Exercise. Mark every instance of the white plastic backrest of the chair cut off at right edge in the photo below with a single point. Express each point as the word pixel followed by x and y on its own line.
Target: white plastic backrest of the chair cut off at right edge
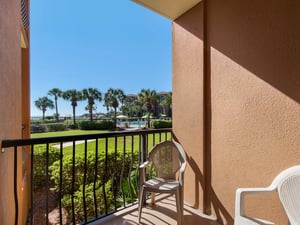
pixel 289 193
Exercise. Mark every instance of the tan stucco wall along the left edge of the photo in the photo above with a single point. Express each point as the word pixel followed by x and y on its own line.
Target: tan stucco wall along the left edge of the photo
pixel 14 107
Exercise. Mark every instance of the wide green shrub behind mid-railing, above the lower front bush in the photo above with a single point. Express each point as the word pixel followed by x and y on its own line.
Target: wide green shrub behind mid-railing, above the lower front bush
pixel 114 163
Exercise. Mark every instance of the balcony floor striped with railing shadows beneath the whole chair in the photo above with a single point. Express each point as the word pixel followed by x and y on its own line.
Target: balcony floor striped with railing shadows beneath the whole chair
pixel 163 213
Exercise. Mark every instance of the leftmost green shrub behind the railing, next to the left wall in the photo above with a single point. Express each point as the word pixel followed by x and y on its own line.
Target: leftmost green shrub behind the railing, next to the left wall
pixel 39 160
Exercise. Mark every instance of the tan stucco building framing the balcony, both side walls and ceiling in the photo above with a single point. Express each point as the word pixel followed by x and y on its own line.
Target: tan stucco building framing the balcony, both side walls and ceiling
pixel 236 95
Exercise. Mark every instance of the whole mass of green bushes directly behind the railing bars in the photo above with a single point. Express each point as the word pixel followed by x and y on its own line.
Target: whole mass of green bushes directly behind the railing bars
pixel 106 178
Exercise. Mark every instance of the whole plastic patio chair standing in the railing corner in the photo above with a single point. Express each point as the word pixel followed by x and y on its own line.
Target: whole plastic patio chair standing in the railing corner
pixel 169 161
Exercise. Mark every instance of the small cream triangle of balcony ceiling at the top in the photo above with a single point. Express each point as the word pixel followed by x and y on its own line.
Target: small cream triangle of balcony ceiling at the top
pixel 171 9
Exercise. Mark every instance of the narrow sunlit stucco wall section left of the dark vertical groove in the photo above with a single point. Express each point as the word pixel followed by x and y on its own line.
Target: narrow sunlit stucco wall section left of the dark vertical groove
pixel 188 105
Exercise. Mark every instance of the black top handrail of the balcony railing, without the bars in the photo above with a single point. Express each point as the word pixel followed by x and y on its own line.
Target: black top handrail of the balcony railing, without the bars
pixel 46 140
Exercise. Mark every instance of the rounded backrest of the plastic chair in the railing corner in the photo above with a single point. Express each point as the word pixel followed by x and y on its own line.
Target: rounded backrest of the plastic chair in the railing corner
pixel 167 158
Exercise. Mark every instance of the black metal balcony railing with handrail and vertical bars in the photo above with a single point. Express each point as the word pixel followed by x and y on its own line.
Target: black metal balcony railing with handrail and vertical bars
pixel 48 141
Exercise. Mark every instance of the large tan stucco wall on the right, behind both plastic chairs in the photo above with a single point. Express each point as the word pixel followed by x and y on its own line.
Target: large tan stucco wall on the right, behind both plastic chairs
pixel 247 55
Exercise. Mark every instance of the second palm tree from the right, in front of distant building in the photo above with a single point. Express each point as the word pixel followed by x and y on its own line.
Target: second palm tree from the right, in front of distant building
pixel 148 98
